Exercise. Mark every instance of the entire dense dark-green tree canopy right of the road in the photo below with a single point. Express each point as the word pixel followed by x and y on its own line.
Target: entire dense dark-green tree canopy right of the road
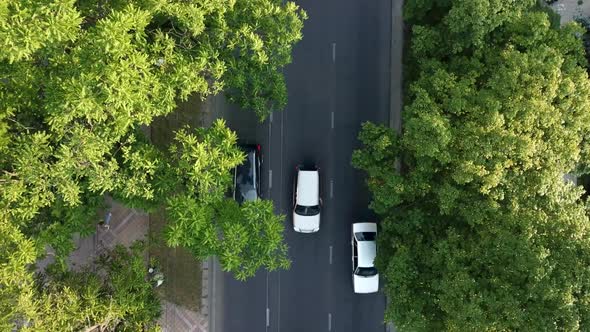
pixel 480 232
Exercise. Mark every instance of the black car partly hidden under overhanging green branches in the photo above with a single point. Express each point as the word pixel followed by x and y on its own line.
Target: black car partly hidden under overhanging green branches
pixel 247 175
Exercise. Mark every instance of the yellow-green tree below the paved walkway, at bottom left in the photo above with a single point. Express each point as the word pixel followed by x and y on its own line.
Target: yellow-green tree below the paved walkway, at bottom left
pixel 115 296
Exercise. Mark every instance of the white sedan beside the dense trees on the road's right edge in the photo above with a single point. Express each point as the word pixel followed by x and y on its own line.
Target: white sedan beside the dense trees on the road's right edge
pixel 365 278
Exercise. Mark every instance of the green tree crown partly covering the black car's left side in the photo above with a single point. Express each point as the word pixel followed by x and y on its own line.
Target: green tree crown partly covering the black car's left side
pixel 244 238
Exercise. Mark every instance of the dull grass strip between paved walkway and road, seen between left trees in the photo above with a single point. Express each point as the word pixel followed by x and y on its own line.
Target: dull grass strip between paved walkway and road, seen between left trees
pixel 182 272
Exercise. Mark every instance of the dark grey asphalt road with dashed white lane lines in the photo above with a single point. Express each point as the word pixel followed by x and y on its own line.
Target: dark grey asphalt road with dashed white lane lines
pixel 339 78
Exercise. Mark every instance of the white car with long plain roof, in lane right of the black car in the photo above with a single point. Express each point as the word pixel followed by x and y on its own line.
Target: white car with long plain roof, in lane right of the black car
pixel 306 201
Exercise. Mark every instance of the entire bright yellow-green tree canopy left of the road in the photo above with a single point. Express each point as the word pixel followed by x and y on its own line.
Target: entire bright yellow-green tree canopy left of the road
pixel 78 81
